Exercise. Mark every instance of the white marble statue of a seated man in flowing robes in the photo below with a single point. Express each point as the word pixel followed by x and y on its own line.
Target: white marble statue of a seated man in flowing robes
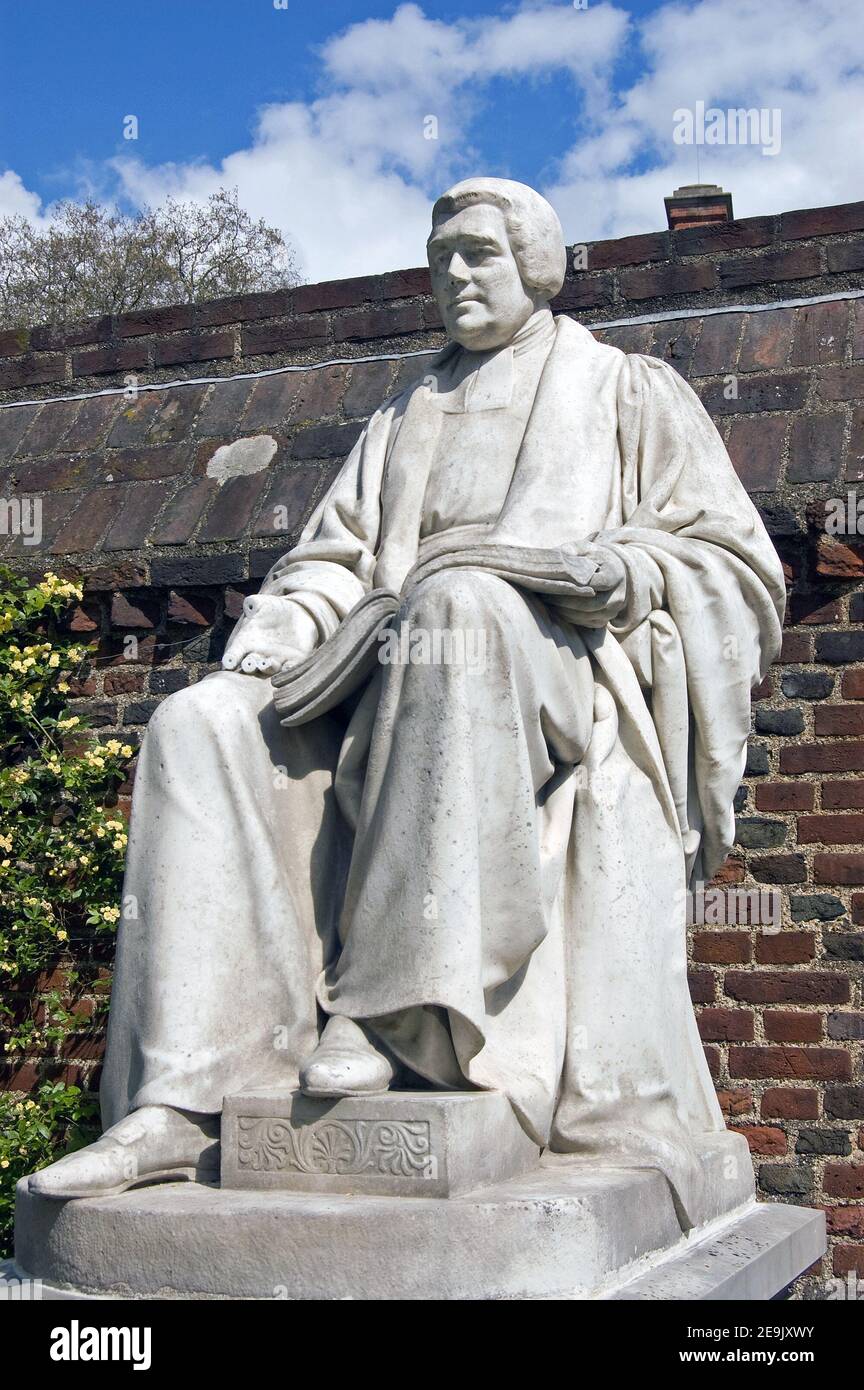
pixel 470 874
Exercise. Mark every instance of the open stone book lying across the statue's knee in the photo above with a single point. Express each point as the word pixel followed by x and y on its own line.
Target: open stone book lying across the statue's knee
pixel 345 662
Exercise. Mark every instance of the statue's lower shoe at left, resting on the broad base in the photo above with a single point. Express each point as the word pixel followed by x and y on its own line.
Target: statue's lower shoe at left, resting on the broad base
pixel 156 1143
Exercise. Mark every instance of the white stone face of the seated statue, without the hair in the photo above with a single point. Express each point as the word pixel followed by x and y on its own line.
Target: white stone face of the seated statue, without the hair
pixel 476 279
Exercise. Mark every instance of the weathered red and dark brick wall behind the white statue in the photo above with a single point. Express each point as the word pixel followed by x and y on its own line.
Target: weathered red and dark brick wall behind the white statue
pixel 169 553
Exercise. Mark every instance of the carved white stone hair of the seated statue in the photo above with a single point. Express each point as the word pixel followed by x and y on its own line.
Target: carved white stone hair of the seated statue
pixel 533 226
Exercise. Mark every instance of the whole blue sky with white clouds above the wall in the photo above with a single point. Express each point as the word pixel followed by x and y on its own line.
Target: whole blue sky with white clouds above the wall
pixel 319 113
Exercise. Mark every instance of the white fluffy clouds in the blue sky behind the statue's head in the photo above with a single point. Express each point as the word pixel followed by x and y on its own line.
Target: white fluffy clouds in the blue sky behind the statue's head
pixel 351 176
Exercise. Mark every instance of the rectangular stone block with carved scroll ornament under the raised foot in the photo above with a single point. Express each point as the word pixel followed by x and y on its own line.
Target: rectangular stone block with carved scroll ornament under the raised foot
pixel 399 1145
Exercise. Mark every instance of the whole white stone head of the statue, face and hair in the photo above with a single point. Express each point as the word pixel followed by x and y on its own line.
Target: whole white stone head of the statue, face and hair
pixel 497 255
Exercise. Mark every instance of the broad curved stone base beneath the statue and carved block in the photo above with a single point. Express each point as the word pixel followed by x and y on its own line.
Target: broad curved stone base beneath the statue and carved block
pixel 558 1234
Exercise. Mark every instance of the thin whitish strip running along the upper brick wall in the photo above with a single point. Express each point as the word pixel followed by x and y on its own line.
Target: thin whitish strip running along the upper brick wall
pixel 674 315
